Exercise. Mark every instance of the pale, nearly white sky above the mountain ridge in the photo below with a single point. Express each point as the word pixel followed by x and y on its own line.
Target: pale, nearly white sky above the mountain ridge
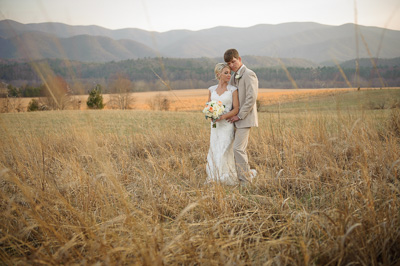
pixel 165 15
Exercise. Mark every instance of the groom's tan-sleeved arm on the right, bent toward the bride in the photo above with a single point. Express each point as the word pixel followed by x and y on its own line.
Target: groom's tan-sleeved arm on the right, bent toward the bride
pixel 251 87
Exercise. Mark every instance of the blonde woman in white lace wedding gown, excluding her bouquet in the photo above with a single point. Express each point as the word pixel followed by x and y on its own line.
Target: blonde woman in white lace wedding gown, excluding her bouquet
pixel 220 159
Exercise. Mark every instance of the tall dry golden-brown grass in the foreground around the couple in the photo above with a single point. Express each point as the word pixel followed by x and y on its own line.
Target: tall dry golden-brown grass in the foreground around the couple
pixel 127 187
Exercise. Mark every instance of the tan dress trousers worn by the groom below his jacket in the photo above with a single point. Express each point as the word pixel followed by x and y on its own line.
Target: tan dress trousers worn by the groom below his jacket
pixel 240 153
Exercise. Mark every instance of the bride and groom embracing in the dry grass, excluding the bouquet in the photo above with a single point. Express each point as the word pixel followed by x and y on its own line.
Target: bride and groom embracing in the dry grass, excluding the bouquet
pixel 227 160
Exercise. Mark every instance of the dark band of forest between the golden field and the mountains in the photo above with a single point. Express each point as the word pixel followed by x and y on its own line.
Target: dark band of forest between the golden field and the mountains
pixel 151 74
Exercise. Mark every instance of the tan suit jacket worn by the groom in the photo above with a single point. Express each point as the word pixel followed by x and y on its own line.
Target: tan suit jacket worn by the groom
pixel 247 84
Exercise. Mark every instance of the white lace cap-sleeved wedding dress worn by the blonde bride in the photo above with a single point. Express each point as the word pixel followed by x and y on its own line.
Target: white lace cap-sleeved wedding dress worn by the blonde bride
pixel 220 159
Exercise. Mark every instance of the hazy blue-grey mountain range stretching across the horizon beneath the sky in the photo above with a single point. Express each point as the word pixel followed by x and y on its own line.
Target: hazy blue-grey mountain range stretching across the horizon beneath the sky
pixel 315 42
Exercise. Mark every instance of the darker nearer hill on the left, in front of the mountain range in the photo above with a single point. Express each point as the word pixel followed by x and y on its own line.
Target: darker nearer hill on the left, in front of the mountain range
pixel 85 48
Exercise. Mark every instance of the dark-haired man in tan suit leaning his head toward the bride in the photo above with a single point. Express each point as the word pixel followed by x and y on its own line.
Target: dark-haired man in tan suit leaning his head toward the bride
pixel 247 83
